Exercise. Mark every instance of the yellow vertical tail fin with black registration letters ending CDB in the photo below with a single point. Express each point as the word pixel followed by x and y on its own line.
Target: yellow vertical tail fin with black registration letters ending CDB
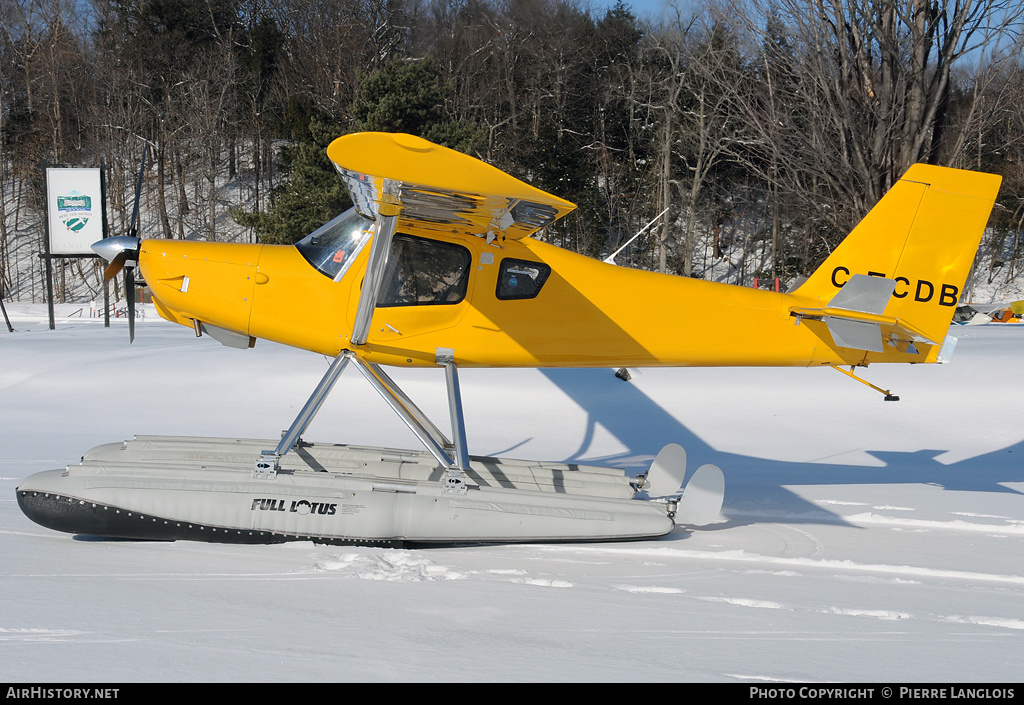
pixel 923 234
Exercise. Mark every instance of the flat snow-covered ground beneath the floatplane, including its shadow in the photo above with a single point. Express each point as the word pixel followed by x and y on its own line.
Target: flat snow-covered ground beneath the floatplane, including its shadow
pixel 861 541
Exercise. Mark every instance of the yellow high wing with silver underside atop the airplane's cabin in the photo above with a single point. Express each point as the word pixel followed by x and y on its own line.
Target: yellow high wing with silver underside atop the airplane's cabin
pixel 441 190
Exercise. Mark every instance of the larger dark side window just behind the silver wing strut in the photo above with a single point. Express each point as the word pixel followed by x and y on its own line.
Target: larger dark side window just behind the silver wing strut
pixel 424 272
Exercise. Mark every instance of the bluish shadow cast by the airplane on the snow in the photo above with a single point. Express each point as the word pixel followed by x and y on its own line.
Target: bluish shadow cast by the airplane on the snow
pixel 644 427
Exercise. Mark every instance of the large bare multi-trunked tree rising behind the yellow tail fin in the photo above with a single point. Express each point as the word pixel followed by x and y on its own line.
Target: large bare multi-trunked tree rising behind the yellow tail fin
pixel 847 95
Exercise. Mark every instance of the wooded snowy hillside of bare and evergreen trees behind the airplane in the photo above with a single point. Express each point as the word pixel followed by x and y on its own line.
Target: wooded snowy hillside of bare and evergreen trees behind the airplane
pixel 764 130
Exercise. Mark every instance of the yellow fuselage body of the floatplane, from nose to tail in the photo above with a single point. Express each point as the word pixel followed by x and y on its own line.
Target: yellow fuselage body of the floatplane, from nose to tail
pixel 588 314
